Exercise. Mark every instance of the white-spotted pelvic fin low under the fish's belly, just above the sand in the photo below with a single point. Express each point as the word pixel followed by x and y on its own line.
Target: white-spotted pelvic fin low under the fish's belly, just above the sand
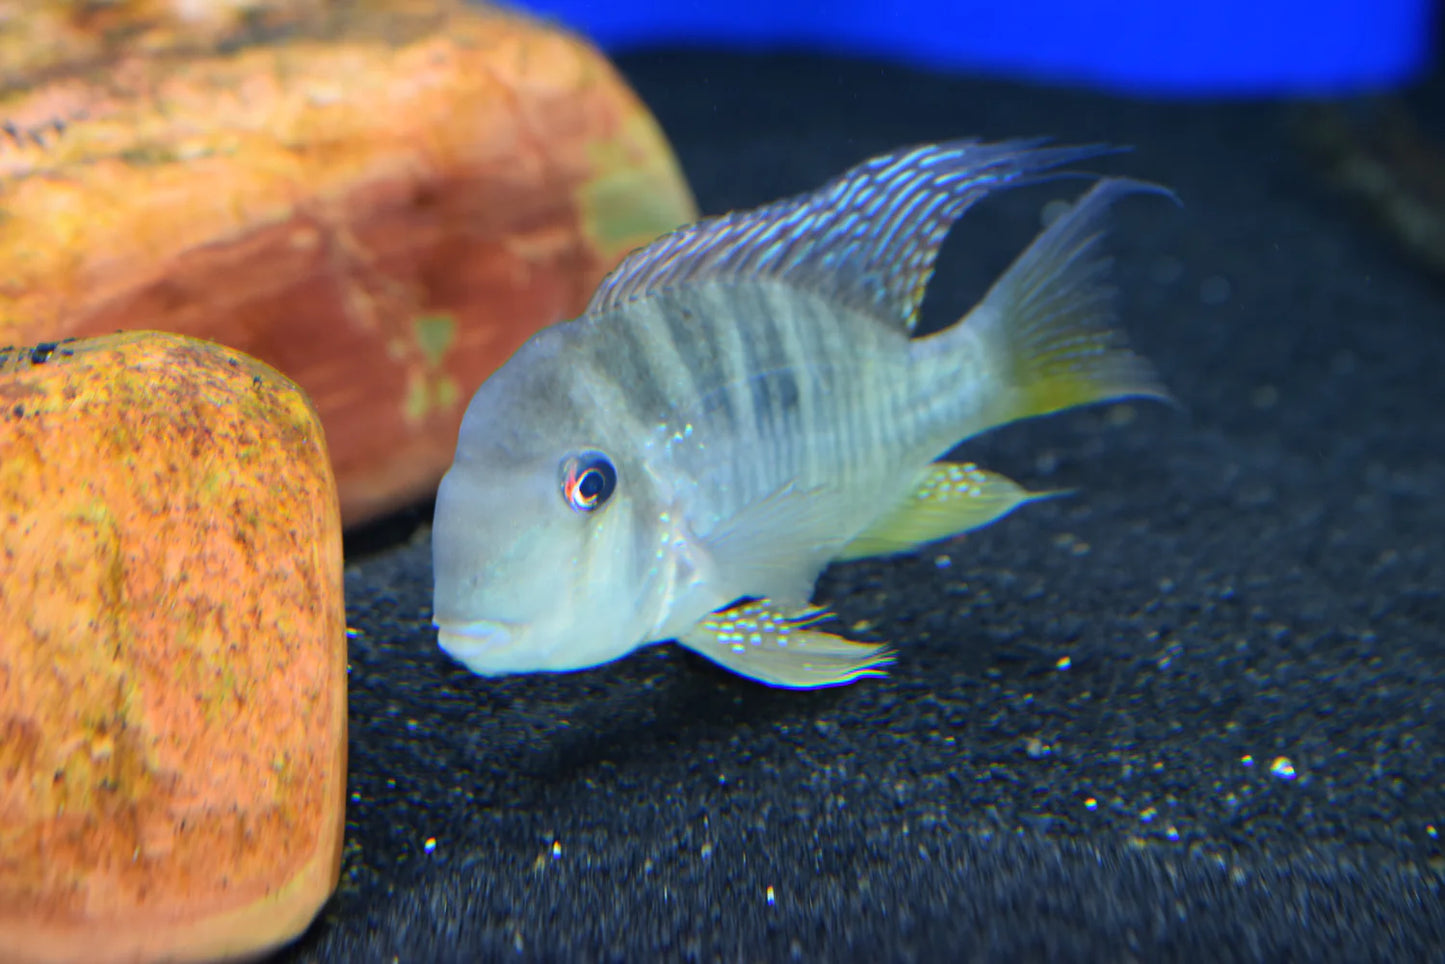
pixel 769 645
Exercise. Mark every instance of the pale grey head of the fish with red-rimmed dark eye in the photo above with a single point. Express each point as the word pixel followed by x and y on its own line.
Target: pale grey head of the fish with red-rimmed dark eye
pixel 544 544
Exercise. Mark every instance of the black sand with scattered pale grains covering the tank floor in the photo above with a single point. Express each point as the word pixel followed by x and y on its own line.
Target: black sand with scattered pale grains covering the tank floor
pixel 1255 580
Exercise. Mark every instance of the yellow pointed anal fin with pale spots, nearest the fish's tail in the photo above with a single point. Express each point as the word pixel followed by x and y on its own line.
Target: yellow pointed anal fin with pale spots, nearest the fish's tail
pixel 950 501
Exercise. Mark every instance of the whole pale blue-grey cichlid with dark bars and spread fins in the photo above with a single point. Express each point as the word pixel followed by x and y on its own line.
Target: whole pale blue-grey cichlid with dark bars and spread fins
pixel 743 404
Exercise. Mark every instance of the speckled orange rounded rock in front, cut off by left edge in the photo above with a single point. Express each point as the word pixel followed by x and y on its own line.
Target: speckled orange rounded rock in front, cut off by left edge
pixel 173 654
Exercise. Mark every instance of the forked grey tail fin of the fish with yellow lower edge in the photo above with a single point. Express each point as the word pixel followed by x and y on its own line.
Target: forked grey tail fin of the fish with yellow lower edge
pixel 1047 329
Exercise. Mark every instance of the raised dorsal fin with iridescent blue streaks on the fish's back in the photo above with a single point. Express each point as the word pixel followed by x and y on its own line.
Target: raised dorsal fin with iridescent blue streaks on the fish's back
pixel 868 239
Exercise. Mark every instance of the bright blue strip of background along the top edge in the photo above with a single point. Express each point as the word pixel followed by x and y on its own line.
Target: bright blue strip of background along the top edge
pixel 1151 47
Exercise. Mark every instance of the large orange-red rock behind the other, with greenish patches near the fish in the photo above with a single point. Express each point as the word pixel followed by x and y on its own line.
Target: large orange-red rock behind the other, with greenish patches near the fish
pixel 384 206
